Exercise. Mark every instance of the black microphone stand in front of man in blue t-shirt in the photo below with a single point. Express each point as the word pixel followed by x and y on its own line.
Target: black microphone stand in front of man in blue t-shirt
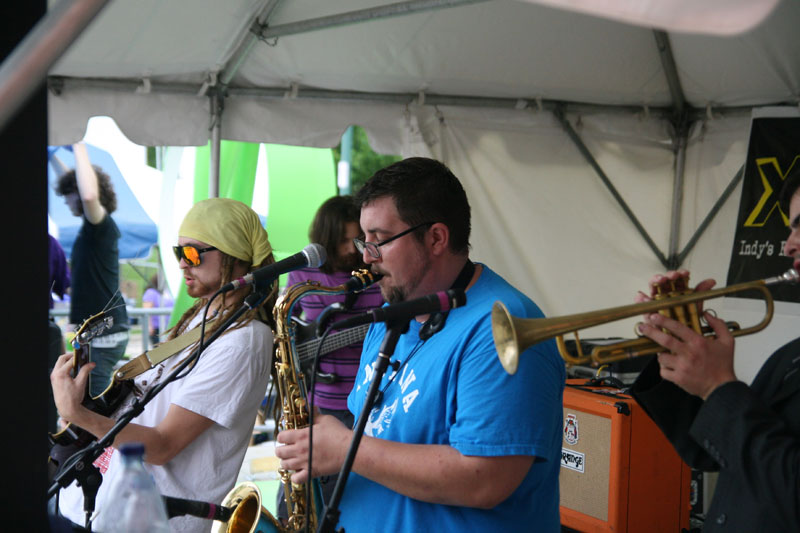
pixel 330 516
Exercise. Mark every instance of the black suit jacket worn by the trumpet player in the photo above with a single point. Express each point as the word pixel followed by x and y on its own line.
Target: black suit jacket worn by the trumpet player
pixel 750 434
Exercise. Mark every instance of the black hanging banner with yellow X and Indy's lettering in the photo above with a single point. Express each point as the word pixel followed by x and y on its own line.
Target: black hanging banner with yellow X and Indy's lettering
pixel 761 226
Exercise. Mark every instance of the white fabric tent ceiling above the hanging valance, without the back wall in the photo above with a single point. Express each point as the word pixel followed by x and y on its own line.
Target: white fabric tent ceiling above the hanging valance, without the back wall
pixel 497 49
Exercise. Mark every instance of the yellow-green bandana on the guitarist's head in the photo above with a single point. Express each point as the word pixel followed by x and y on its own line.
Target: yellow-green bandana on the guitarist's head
pixel 230 226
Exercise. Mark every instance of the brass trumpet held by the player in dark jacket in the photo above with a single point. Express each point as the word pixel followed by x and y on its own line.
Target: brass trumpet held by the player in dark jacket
pixel 513 335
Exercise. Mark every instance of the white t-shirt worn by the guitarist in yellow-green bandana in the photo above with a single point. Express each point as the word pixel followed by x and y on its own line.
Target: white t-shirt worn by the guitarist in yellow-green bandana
pixel 226 385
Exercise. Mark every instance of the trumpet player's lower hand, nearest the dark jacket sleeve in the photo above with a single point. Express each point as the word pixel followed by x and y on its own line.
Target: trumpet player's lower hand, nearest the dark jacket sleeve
pixel 696 363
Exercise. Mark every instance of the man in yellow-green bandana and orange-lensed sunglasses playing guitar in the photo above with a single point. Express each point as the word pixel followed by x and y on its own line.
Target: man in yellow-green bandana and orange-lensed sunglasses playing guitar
pixel 196 430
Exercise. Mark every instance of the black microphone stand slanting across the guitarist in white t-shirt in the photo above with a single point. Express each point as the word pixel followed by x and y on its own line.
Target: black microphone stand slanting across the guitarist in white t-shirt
pixel 80 466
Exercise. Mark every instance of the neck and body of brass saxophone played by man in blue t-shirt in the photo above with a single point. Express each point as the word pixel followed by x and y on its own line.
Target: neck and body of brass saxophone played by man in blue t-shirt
pixel 293 394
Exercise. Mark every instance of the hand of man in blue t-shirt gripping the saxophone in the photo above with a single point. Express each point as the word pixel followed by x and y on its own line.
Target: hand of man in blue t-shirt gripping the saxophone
pixel 331 442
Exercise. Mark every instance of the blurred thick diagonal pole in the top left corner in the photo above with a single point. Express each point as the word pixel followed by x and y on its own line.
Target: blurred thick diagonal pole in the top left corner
pixel 26 67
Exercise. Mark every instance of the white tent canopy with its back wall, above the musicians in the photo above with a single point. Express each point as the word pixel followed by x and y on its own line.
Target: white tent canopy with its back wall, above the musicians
pixel 592 150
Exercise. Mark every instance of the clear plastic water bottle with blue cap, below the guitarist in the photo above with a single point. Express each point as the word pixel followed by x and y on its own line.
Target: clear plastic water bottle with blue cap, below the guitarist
pixel 136 504
